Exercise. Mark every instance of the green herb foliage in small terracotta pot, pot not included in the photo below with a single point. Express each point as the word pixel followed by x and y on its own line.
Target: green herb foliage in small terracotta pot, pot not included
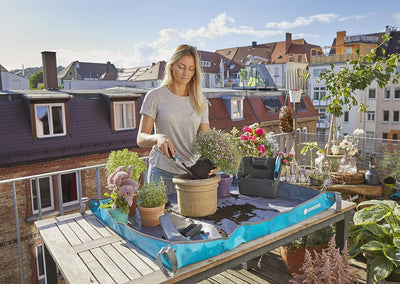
pixel 152 194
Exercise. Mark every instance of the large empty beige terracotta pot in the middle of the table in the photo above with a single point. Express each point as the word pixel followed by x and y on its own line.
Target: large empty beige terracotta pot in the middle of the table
pixel 196 197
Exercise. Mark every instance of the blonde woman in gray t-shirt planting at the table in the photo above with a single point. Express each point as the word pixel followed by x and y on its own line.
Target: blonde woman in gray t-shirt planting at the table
pixel 179 111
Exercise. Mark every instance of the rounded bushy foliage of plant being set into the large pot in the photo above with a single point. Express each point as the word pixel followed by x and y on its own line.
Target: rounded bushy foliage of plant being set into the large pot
pixel 216 146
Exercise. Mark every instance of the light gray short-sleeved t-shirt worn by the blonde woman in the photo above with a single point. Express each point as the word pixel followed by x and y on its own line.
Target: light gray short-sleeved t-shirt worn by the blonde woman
pixel 175 117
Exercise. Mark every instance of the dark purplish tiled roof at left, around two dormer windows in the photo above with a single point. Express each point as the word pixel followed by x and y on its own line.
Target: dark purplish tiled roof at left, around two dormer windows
pixel 89 119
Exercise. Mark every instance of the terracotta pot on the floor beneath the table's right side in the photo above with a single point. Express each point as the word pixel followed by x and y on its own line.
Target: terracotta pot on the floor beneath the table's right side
pixel 294 258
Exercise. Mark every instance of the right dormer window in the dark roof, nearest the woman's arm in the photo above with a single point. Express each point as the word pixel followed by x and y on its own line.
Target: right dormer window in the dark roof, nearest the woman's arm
pixel 124 115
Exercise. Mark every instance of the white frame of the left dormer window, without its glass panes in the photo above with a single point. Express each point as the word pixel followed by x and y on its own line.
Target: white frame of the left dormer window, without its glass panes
pixel 50 119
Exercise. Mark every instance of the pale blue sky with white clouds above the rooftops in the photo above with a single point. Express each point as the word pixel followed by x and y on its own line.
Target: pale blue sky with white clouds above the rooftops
pixel 131 33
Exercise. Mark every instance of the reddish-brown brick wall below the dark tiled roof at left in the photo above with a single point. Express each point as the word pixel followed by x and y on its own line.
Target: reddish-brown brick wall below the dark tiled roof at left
pixel 10 272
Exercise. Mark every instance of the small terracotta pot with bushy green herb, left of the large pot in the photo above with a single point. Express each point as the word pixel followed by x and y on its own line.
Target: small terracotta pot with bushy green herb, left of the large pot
pixel 151 202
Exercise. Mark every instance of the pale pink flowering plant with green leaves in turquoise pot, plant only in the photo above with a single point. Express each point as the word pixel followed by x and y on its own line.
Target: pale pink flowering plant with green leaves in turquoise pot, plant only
pixel 122 187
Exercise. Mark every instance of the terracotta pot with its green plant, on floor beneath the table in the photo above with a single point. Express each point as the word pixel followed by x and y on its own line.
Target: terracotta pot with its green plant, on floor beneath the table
pixel 293 253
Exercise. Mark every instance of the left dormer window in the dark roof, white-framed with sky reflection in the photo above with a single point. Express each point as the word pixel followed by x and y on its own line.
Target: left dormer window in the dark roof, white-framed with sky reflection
pixel 50 120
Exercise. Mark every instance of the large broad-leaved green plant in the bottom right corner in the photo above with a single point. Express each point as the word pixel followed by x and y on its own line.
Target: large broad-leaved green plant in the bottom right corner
pixel 376 234
